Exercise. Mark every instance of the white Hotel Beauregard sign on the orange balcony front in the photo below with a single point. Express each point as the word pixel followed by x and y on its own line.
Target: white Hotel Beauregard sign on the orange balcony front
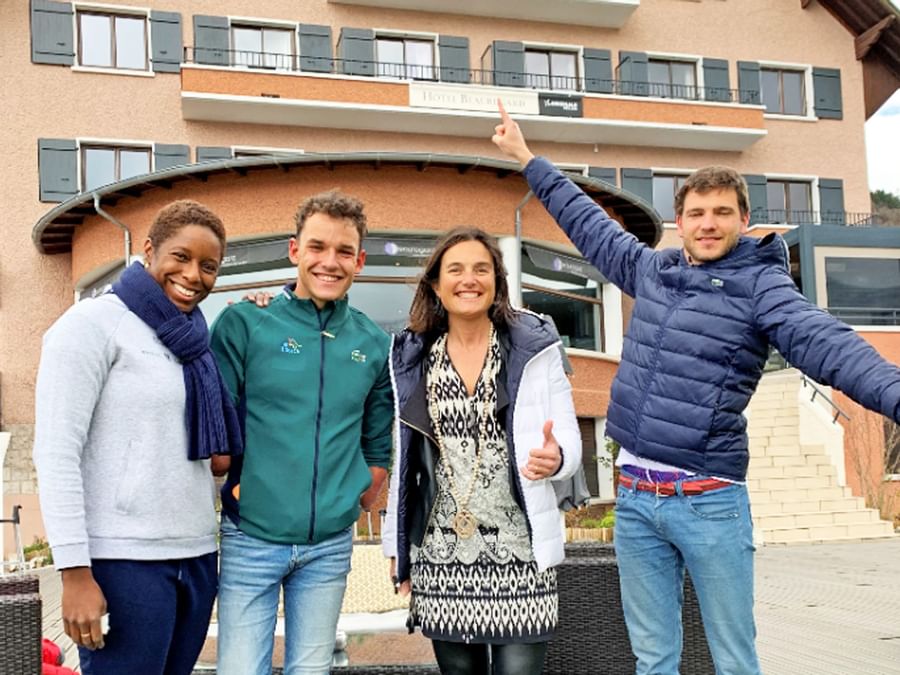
pixel 475 99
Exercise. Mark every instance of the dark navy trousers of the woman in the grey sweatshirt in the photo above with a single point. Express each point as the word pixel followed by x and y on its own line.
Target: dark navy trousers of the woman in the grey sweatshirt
pixel 158 615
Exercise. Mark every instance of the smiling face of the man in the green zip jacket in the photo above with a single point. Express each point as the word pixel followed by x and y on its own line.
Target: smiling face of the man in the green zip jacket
pixel 328 256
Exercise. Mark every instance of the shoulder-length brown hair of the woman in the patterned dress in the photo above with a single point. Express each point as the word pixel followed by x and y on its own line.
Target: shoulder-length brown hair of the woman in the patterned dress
pixel 426 316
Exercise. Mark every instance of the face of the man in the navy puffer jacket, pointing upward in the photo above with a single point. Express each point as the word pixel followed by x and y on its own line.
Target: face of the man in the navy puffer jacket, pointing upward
pixel 710 224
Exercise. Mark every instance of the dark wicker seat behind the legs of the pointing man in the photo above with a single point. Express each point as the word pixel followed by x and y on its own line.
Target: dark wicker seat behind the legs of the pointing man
pixel 591 638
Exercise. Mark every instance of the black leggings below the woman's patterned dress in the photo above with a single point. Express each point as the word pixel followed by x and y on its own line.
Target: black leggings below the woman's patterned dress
pixel 458 658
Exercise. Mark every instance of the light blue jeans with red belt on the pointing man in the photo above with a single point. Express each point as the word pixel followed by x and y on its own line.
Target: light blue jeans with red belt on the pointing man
pixel 710 534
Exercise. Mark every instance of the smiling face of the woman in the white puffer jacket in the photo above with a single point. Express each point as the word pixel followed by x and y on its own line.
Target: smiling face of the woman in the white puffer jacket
pixel 466 285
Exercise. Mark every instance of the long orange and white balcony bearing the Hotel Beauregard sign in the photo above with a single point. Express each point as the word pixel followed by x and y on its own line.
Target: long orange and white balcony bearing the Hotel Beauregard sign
pixel 408 99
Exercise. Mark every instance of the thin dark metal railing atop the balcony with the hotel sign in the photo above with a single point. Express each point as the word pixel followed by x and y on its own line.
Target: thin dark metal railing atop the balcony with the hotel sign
pixel 267 61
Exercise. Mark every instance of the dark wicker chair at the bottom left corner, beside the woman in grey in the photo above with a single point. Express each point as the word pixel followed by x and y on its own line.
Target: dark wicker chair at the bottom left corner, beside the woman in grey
pixel 20 625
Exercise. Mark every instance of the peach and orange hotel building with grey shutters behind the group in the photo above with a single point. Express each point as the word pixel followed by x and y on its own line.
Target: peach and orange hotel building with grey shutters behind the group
pixel 114 109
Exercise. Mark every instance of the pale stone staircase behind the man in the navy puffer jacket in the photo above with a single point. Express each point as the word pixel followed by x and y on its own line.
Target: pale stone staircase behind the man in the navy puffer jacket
pixel 797 493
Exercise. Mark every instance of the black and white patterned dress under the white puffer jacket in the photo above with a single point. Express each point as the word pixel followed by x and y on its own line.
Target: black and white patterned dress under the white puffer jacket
pixel 487 587
